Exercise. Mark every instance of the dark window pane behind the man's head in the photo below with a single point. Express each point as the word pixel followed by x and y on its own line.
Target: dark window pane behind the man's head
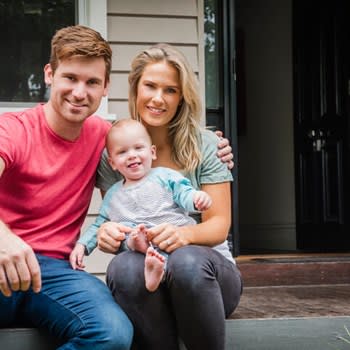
pixel 26 29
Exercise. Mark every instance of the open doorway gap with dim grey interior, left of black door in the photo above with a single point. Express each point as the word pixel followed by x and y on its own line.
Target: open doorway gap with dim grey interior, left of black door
pixel 267 218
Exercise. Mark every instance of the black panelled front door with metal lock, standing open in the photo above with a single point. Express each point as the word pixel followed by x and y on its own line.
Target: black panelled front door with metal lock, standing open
pixel 321 43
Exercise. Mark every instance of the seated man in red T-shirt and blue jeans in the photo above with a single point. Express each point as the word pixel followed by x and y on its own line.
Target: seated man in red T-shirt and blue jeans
pixel 48 159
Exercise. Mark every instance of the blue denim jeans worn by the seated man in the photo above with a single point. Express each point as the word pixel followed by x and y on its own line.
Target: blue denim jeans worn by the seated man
pixel 72 305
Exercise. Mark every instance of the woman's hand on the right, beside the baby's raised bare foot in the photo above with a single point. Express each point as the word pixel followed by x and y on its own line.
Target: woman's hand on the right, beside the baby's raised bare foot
pixel 167 237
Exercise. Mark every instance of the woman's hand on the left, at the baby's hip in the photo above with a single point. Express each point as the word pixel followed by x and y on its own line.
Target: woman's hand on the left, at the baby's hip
pixel 110 235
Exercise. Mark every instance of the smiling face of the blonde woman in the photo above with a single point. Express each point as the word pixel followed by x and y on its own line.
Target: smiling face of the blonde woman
pixel 158 94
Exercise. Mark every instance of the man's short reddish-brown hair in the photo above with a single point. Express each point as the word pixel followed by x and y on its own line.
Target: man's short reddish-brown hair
pixel 79 41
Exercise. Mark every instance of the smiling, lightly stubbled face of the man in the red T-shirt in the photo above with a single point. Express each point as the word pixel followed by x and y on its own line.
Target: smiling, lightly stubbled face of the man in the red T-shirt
pixel 77 87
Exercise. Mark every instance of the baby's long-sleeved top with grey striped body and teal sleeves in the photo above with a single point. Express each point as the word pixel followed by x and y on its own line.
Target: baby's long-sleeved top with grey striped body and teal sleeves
pixel 162 196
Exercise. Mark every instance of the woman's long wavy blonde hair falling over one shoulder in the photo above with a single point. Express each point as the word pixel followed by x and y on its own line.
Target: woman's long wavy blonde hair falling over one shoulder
pixel 184 127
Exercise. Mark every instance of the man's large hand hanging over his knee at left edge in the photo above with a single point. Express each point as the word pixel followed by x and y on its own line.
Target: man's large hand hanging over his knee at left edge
pixel 19 268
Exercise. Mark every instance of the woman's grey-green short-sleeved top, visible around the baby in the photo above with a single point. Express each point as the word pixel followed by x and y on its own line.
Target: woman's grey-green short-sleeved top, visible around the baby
pixel 210 171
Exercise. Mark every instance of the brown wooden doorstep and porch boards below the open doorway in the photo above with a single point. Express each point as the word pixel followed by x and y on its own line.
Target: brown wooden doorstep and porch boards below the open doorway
pixel 294 285
